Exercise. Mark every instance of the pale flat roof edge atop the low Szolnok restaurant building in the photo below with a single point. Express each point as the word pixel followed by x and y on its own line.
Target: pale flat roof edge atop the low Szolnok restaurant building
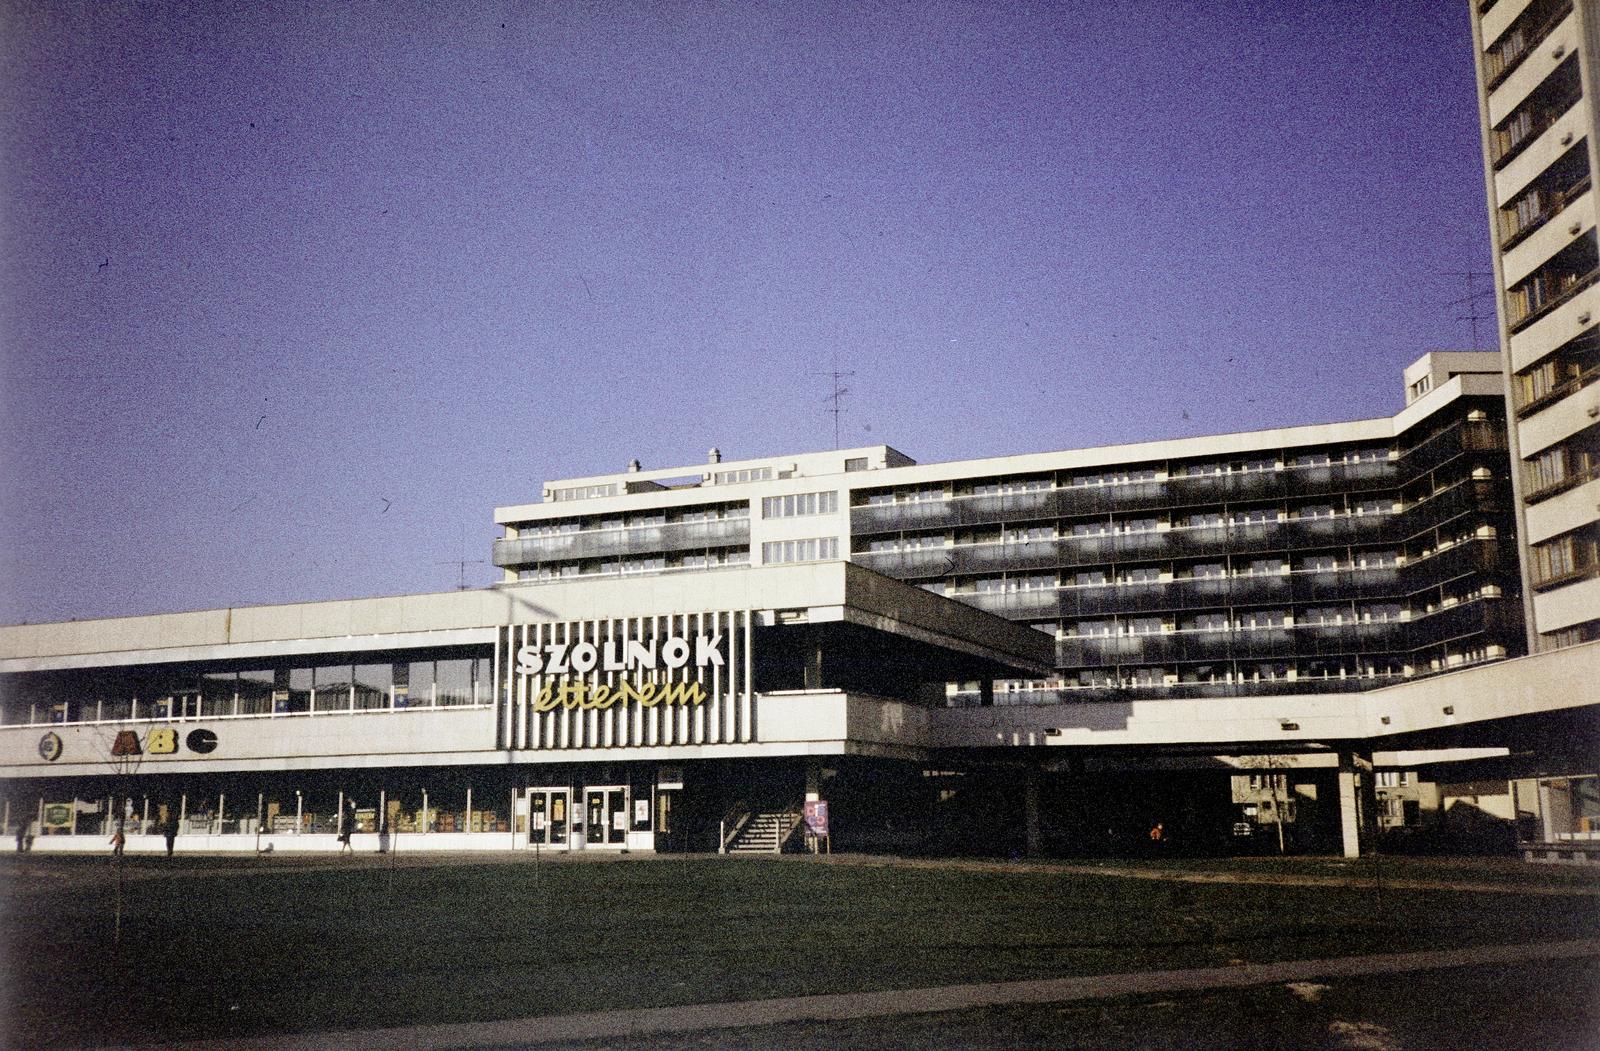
pixel 815 593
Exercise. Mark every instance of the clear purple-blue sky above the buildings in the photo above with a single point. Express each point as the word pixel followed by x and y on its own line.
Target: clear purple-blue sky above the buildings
pixel 297 294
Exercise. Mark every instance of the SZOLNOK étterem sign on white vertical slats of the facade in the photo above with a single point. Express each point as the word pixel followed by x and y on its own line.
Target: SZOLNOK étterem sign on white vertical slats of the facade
pixel 626 682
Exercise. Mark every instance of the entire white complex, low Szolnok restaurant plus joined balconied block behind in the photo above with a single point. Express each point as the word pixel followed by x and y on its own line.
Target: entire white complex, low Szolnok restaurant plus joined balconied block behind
pixel 1081 645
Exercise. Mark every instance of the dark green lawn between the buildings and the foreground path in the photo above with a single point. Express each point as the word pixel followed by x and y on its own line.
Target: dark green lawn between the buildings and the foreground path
pixel 246 946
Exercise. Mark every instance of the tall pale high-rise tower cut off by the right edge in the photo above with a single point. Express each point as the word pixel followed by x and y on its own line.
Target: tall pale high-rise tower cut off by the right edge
pixel 1538 76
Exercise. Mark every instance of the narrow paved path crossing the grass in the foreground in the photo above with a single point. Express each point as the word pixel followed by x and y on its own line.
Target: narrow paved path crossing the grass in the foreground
pixel 719 1017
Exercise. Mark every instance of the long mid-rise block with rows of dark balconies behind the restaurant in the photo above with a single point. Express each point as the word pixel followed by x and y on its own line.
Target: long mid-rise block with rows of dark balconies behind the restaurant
pixel 1282 562
